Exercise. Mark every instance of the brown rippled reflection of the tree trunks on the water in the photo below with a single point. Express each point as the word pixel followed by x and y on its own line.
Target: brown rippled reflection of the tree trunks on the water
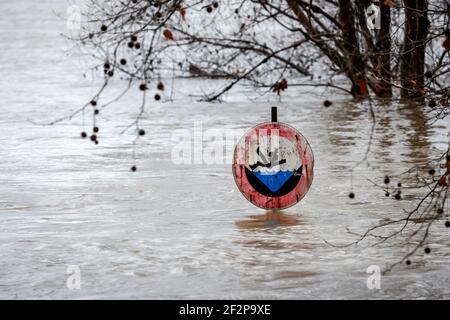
pixel 407 136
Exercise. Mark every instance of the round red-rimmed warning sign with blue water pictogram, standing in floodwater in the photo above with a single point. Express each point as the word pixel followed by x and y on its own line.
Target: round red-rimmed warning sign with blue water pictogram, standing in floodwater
pixel 273 165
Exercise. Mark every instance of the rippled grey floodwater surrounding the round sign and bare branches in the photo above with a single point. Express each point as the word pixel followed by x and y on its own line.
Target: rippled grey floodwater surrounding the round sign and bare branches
pixel 185 231
